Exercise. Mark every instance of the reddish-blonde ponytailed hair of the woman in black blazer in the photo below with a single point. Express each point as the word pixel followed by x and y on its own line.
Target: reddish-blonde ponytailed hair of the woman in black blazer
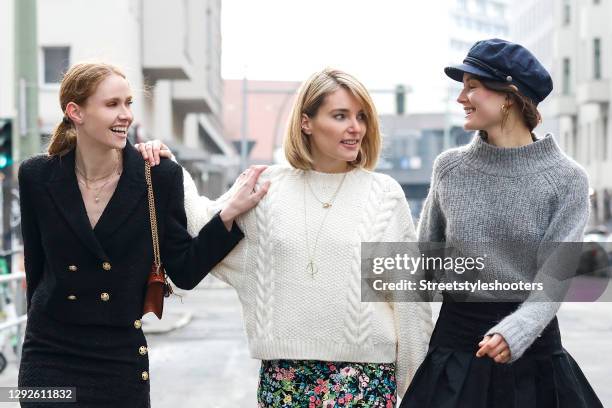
pixel 78 84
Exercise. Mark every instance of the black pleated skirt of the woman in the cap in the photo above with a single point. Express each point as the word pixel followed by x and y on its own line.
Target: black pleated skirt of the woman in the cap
pixel 451 376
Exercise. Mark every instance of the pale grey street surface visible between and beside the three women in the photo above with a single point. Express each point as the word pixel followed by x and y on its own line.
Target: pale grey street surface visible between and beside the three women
pixel 205 362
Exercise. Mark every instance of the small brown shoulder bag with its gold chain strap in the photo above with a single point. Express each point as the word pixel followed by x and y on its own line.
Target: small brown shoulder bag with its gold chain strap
pixel 158 286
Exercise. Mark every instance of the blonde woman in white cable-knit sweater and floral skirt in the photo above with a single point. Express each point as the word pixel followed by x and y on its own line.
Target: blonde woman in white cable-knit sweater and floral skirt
pixel 298 272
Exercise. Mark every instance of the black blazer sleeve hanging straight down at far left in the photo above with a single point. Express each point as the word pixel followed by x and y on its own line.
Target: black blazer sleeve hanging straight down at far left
pixel 32 247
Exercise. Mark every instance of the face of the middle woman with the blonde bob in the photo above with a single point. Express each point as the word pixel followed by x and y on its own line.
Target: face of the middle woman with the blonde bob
pixel 336 131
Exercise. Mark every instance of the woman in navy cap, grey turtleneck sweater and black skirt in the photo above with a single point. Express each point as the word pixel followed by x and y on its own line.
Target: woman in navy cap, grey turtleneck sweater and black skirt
pixel 507 185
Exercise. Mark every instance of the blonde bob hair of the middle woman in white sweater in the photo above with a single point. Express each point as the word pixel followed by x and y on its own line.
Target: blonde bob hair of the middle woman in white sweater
pixel 310 97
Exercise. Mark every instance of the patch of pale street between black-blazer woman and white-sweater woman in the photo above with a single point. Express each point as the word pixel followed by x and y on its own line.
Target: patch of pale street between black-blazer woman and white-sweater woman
pixel 206 363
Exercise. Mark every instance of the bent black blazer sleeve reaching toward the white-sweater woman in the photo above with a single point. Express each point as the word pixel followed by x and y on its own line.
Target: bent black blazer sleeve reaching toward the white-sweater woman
pixel 188 260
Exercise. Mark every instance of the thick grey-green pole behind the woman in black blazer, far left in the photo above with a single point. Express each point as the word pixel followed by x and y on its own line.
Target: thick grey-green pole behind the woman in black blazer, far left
pixel 27 136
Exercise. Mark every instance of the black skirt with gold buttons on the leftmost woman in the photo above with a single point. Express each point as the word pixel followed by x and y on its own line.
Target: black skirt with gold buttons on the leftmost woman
pixel 104 363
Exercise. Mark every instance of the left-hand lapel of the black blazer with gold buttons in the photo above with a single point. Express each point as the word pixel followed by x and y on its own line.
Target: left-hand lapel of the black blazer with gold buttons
pixel 64 190
